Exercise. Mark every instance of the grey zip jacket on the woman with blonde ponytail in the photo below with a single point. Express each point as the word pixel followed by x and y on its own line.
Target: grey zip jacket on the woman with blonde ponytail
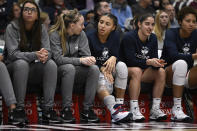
pixel 76 47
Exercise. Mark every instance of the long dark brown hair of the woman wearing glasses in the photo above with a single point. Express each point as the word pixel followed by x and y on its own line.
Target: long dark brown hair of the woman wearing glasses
pixel 35 32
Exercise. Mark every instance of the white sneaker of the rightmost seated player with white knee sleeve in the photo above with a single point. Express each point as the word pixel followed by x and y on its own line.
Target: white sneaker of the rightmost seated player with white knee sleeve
pixel 178 115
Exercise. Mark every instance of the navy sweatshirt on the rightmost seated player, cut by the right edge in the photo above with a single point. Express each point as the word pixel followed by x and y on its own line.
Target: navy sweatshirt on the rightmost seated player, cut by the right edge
pixel 177 48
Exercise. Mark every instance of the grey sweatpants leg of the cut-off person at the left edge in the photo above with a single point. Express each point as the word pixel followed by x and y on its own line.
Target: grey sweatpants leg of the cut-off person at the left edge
pixel 6 87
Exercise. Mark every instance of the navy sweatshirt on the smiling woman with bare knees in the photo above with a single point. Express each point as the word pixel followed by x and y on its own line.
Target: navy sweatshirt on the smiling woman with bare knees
pixel 135 53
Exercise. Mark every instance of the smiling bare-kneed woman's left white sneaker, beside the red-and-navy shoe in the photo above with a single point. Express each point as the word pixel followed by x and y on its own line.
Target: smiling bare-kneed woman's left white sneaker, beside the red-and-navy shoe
pixel 137 115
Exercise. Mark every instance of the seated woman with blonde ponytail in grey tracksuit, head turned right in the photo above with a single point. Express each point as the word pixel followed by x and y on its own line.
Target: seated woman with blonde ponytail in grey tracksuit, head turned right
pixel 71 53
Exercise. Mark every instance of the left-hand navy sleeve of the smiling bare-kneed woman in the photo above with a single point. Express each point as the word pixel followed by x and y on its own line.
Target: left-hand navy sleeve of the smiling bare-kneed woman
pixel 128 50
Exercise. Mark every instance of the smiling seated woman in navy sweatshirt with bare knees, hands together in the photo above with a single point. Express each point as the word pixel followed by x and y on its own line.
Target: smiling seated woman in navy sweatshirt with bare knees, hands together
pixel 139 52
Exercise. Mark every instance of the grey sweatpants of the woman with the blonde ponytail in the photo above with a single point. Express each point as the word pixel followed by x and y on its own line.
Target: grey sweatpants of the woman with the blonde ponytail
pixel 69 73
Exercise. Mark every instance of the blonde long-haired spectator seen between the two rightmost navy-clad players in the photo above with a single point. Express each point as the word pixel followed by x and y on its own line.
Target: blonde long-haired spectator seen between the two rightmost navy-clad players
pixel 162 22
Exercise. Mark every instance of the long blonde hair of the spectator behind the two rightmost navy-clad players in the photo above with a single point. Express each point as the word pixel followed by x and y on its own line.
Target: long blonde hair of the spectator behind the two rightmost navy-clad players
pixel 158 29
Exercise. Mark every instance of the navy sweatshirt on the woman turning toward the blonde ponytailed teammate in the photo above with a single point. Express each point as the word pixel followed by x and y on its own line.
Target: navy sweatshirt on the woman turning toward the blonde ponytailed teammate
pixel 103 51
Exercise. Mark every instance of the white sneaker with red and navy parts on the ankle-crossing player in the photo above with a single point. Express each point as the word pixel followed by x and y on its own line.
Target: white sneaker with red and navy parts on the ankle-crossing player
pixel 120 115
